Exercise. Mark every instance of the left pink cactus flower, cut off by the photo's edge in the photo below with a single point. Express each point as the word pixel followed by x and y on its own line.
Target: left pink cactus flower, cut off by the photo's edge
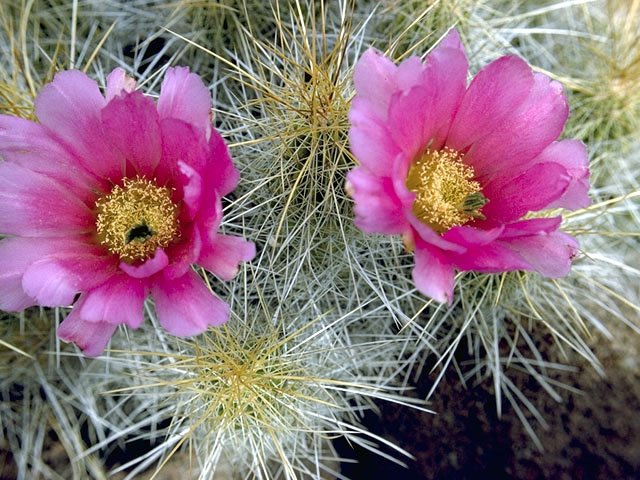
pixel 114 198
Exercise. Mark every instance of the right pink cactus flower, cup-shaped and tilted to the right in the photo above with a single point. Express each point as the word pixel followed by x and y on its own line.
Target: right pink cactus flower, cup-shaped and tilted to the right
pixel 455 168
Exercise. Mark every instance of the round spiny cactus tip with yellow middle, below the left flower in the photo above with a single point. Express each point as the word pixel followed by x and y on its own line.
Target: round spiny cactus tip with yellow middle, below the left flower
pixel 241 391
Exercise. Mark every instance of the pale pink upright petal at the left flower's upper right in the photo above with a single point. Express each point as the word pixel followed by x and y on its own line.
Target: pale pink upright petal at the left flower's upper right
pixel 183 96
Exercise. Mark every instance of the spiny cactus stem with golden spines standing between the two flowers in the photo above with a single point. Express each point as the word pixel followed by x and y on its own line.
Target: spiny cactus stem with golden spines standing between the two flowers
pixel 300 76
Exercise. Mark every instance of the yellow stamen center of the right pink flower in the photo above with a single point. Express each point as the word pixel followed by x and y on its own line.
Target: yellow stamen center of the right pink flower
pixel 447 195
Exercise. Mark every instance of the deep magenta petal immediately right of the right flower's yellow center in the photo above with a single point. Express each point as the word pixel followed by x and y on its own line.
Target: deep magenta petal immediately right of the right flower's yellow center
pixel 511 198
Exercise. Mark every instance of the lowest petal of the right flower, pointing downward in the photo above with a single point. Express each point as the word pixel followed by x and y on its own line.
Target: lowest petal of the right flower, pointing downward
pixel 433 274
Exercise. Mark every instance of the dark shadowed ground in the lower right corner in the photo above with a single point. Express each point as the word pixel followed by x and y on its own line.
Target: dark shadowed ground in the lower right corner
pixel 593 434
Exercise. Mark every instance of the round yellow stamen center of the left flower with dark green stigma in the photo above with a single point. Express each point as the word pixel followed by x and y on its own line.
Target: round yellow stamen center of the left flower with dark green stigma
pixel 136 219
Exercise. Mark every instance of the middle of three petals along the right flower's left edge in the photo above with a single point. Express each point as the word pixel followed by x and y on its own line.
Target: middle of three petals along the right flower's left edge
pixel 370 140
